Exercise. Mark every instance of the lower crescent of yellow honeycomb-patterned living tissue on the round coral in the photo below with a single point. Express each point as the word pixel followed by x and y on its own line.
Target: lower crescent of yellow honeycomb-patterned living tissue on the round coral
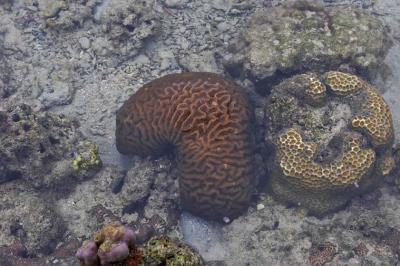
pixel 297 162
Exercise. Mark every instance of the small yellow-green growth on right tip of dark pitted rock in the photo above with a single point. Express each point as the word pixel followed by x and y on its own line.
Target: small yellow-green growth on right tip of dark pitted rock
pixel 88 159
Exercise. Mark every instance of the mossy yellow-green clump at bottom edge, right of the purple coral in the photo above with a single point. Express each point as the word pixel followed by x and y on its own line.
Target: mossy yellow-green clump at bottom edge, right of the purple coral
pixel 165 251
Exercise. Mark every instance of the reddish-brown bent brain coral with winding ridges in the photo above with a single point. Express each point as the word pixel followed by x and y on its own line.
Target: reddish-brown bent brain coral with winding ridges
pixel 208 121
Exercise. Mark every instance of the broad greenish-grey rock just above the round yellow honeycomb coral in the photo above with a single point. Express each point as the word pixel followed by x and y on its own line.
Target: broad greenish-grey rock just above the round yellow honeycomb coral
pixel 305 36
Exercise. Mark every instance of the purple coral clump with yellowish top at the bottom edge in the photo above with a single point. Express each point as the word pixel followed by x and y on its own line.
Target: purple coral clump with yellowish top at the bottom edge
pixel 111 244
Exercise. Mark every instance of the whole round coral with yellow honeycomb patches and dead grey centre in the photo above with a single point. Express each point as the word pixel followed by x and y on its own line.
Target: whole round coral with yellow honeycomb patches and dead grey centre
pixel 321 162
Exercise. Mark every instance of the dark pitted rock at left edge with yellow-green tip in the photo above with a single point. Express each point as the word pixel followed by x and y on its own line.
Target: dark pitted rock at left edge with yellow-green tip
pixel 44 150
